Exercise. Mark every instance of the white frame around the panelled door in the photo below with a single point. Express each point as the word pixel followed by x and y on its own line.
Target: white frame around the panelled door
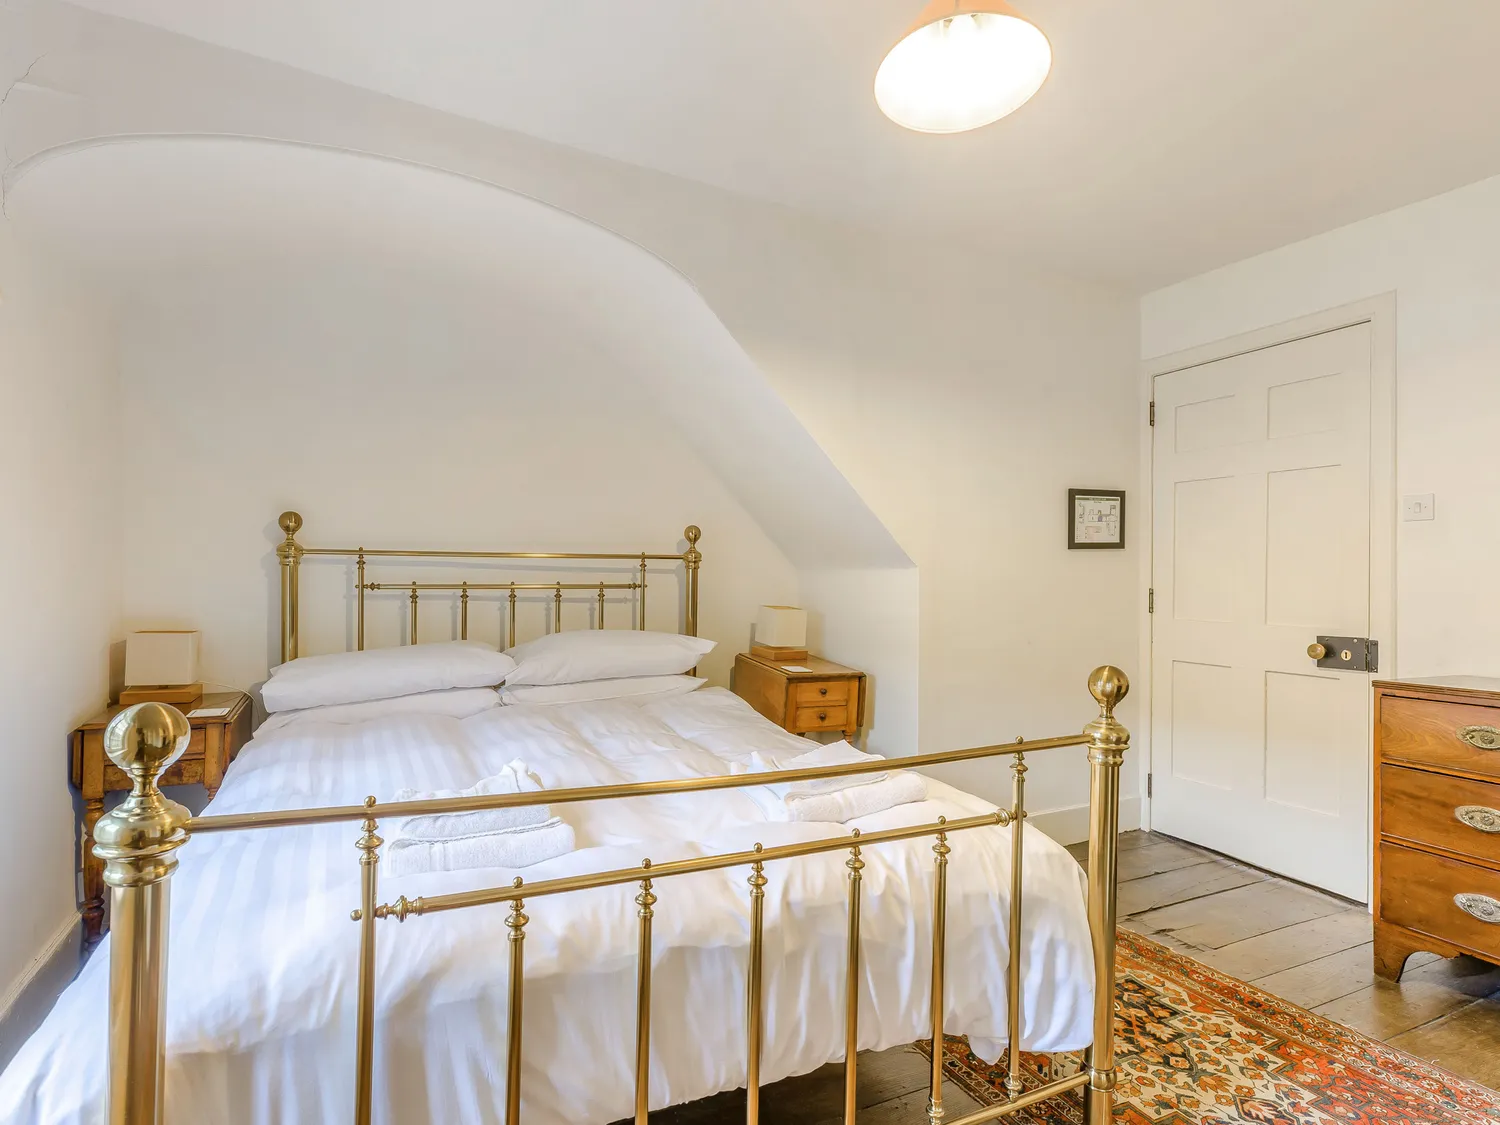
pixel 1381 314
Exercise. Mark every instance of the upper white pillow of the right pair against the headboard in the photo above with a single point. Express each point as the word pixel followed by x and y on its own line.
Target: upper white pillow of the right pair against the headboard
pixel 605 655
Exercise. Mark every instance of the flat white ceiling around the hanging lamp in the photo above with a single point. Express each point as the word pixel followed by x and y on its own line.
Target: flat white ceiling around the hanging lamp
pixel 1172 137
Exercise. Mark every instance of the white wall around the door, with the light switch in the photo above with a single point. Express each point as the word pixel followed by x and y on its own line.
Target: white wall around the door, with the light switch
pixel 1442 260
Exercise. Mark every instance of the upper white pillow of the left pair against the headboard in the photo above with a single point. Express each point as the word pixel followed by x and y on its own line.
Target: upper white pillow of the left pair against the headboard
pixel 383 674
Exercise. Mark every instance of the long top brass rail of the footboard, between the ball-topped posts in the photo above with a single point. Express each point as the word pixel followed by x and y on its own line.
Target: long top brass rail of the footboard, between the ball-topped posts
pixel 230 823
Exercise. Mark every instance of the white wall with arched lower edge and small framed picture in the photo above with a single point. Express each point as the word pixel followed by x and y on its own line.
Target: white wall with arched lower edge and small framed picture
pixel 961 397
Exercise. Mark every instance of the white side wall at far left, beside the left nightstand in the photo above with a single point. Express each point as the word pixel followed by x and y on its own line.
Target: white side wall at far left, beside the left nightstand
pixel 59 503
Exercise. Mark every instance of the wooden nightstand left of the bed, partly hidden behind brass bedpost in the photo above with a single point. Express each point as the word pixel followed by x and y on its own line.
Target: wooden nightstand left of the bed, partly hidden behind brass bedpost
pixel 215 743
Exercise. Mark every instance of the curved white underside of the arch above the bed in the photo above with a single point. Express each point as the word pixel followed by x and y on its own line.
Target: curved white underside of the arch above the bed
pixel 134 209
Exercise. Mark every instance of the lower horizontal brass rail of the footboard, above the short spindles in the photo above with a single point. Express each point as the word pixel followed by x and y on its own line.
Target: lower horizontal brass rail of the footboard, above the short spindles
pixel 460 901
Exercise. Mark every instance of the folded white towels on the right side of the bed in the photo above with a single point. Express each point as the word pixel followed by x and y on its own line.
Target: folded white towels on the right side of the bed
pixel 830 799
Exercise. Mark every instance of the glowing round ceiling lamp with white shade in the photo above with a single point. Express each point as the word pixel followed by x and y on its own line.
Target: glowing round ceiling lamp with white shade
pixel 962 65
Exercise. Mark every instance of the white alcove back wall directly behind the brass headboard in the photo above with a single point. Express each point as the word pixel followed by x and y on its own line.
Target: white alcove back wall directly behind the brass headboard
pixel 398 410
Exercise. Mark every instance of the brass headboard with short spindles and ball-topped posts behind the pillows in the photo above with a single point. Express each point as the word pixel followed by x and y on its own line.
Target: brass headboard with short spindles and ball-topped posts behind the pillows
pixel 290 553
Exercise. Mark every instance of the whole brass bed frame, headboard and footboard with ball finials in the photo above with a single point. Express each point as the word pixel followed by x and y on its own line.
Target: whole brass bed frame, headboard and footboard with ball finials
pixel 139 842
